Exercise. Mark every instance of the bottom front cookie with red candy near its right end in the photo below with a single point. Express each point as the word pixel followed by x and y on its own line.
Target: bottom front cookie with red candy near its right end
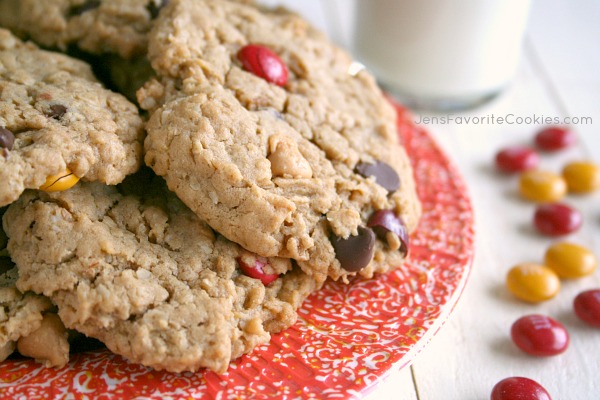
pixel 136 269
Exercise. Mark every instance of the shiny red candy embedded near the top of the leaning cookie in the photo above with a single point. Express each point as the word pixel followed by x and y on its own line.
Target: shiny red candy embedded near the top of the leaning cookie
pixel 263 62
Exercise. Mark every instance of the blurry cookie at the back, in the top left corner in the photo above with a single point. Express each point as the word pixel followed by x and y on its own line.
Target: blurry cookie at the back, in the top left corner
pixel 95 26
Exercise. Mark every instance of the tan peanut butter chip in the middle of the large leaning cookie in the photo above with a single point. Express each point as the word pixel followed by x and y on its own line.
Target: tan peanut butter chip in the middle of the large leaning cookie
pixel 286 159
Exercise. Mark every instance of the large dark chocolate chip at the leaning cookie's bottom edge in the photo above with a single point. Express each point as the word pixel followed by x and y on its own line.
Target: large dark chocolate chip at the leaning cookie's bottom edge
pixel 355 252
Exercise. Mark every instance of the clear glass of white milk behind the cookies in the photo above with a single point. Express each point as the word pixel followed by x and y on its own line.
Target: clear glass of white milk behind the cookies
pixel 441 54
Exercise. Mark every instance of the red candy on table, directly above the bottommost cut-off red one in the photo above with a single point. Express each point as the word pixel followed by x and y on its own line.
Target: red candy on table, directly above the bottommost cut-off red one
pixel 539 335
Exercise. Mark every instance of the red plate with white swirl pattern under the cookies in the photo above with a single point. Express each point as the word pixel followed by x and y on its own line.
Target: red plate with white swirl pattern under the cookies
pixel 347 338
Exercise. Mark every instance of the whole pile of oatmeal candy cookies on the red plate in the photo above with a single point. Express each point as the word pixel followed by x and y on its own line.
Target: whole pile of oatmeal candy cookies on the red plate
pixel 182 232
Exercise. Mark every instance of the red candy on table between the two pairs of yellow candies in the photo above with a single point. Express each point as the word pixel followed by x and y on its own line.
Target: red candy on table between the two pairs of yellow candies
pixel 557 219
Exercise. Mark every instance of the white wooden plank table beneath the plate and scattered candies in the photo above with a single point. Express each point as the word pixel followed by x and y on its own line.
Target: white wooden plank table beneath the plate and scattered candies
pixel 559 77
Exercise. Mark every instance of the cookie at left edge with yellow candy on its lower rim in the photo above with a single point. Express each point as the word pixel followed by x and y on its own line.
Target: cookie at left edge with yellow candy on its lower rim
pixel 58 124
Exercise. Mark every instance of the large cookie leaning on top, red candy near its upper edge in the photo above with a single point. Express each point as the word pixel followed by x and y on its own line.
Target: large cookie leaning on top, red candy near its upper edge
pixel 263 128
